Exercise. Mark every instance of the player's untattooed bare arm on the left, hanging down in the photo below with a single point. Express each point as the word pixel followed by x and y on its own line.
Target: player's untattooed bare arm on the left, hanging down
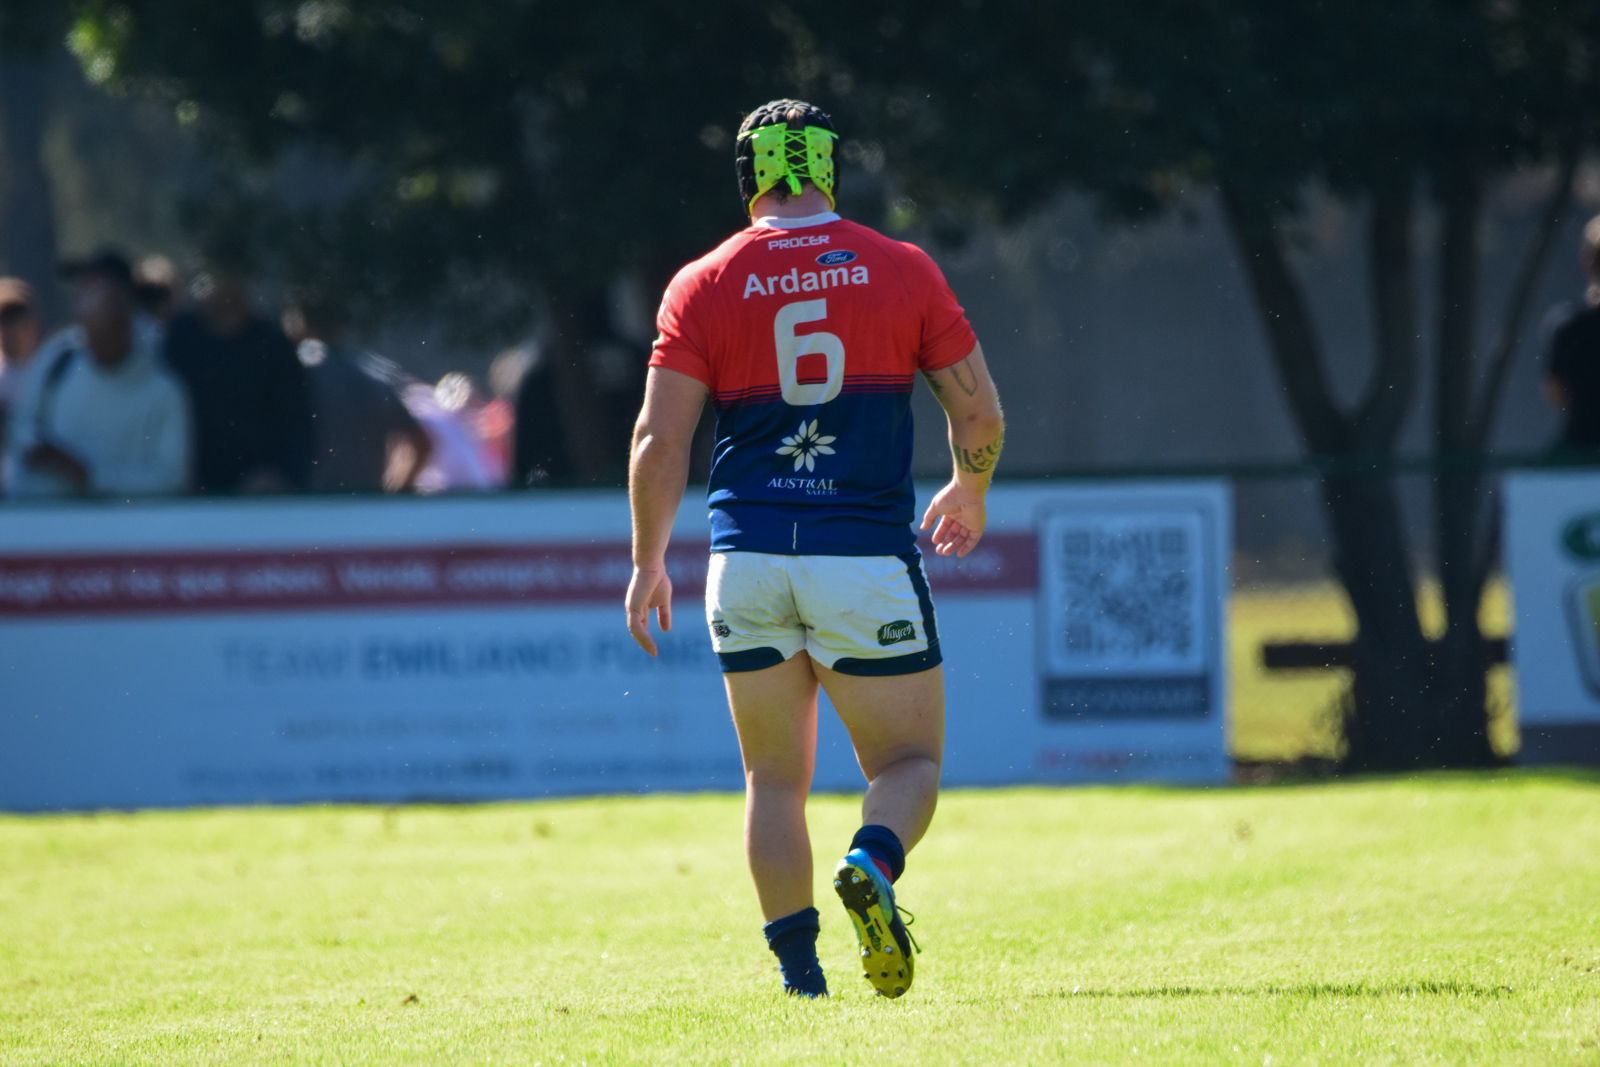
pixel 657 476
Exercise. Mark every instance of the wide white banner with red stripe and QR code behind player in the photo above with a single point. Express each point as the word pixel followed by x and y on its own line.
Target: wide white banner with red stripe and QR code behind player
pixel 246 652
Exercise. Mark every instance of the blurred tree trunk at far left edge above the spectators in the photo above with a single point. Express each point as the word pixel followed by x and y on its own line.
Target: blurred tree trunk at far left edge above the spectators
pixel 28 222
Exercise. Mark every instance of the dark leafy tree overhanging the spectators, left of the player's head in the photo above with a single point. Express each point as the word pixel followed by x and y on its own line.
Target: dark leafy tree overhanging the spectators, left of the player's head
pixel 466 158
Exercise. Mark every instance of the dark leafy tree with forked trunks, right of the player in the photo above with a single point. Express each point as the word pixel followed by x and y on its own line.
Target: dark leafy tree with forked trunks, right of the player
pixel 1391 105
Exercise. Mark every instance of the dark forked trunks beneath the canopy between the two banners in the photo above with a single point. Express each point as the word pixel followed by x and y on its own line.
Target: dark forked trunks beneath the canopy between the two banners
pixel 1417 703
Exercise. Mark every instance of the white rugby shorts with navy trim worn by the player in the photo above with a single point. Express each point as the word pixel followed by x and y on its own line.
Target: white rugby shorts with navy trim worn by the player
pixel 860 615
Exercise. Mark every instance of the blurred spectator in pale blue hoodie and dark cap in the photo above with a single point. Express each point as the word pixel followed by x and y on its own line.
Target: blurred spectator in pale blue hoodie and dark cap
pixel 100 414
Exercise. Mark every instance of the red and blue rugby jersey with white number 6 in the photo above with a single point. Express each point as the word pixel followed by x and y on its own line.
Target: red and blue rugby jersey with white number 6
pixel 810 338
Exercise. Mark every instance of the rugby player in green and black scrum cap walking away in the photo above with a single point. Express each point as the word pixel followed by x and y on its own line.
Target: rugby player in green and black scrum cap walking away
pixel 807 332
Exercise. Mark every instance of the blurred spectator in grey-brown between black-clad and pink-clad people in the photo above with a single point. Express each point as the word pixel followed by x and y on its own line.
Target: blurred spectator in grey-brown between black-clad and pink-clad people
pixel 367 441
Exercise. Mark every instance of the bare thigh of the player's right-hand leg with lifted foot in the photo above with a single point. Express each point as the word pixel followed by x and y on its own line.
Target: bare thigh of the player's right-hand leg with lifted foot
pixel 890 719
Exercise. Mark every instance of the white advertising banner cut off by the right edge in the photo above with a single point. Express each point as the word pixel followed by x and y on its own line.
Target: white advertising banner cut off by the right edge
pixel 1553 549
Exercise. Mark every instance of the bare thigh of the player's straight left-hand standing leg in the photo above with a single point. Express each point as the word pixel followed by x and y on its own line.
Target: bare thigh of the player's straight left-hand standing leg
pixel 775 714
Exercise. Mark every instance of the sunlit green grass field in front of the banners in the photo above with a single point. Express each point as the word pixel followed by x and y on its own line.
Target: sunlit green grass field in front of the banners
pixel 1433 919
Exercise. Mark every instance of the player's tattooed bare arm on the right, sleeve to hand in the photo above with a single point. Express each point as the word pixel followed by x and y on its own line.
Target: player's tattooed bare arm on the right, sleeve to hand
pixel 972 406
